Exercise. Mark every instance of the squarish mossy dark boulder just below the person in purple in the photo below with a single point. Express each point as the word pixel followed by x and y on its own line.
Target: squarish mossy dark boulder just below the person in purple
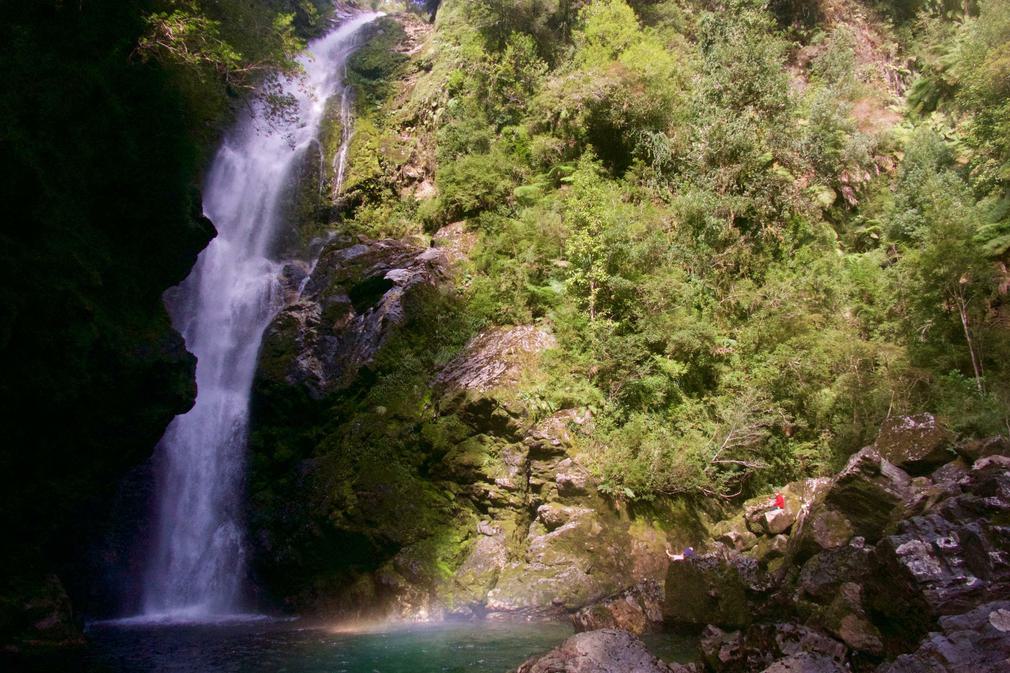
pixel 725 590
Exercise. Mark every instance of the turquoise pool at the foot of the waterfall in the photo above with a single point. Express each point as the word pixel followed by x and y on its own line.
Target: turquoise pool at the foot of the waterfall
pixel 286 648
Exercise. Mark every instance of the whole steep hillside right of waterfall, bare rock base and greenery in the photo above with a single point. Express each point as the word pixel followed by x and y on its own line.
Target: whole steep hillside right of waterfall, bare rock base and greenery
pixel 602 268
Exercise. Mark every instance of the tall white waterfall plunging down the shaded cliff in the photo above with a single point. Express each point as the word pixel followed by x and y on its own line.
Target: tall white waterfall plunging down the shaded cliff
pixel 197 565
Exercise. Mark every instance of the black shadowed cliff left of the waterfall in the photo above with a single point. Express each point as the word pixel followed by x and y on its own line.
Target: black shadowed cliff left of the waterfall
pixel 97 168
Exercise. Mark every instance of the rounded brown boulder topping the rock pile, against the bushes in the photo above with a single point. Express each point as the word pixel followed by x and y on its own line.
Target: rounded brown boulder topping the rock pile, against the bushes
pixel 917 444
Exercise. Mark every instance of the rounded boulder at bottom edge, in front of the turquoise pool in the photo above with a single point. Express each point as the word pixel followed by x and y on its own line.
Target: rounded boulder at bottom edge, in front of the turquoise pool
pixel 607 651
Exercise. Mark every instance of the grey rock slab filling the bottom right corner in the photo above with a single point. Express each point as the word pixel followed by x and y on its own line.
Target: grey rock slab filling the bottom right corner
pixel 976 642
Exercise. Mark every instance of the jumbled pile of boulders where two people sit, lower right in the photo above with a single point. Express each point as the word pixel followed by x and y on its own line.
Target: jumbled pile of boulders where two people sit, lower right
pixel 881 570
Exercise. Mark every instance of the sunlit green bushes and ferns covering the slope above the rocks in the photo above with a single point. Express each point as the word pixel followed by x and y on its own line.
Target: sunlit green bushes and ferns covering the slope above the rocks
pixel 752 248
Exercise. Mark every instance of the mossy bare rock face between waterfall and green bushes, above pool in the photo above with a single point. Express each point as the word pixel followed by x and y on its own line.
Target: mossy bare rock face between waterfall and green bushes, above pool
pixel 506 521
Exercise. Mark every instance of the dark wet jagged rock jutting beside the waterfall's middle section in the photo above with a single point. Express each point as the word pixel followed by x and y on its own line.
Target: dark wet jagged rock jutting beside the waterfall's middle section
pixel 342 314
